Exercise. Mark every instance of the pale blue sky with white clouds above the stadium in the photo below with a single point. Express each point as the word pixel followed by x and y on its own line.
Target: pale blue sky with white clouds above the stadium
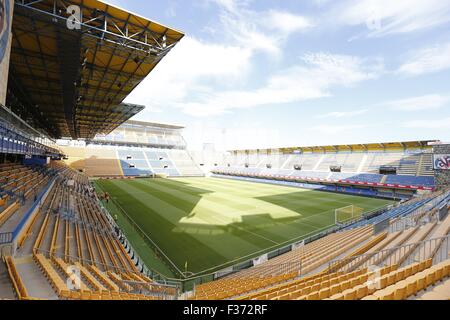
pixel 257 74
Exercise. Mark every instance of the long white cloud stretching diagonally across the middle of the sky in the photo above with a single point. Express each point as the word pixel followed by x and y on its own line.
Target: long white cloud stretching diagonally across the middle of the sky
pixel 314 78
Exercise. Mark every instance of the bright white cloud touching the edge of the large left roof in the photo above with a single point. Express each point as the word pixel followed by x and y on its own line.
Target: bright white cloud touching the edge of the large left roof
pixel 191 68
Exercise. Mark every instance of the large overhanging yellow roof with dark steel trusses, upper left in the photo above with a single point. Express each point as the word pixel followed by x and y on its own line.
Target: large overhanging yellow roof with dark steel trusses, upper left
pixel 72 82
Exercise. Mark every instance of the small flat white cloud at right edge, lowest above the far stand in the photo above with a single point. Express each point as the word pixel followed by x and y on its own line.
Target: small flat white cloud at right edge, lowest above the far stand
pixel 427 102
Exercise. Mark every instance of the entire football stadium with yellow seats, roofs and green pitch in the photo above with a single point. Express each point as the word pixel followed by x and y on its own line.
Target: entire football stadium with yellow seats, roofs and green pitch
pixel 99 203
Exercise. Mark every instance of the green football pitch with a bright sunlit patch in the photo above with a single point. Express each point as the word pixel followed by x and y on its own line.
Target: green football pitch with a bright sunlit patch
pixel 206 224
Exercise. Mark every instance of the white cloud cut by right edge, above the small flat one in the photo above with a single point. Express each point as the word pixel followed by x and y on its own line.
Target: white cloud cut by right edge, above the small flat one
pixel 428 60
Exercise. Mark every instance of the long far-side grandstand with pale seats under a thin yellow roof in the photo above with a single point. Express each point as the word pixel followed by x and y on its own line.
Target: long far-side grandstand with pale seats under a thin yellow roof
pixel 394 170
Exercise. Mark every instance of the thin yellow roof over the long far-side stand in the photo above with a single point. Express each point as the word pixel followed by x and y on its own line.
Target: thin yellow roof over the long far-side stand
pixel 352 147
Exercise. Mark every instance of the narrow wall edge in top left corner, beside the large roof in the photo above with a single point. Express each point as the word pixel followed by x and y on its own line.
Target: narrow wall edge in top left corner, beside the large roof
pixel 6 14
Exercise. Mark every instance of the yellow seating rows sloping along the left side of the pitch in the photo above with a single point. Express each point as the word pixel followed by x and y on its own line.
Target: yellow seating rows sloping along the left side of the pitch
pixel 93 247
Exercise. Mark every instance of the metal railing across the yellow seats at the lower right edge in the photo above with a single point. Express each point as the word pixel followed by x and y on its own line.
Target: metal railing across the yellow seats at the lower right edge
pixel 436 248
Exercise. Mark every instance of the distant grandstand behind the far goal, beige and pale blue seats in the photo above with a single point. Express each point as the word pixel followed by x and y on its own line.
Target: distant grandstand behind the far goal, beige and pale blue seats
pixel 134 149
